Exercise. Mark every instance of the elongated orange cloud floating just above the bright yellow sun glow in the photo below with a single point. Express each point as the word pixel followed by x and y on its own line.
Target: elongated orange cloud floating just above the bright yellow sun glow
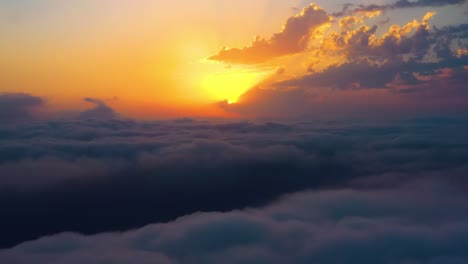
pixel 294 38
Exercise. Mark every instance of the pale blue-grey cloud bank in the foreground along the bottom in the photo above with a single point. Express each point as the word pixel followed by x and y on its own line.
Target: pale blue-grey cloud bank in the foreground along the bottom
pixel 401 225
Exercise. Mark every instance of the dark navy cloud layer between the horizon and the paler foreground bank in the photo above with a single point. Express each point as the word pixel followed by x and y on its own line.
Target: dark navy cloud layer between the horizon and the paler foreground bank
pixel 93 176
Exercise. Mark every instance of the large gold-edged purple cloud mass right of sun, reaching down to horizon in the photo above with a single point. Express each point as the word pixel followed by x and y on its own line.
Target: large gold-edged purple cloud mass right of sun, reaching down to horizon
pixel 357 70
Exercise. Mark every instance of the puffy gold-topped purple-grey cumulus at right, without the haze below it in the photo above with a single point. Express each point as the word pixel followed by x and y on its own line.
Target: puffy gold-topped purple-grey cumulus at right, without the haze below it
pixel 399 55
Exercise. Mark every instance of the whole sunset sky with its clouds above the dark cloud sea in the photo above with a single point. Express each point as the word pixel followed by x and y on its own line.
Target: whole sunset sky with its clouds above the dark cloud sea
pixel 160 59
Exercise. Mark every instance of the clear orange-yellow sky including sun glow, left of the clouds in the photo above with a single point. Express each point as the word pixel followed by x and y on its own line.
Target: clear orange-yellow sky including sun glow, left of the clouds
pixel 145 53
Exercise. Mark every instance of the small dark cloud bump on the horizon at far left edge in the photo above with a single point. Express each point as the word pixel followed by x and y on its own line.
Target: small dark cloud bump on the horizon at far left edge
pixel 18 107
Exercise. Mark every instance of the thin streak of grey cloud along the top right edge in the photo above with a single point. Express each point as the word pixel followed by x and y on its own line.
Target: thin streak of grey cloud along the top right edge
pixel 351 9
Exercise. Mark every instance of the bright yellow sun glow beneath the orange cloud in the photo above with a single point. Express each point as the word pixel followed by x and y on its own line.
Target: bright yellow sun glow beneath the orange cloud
pixel 231 84
